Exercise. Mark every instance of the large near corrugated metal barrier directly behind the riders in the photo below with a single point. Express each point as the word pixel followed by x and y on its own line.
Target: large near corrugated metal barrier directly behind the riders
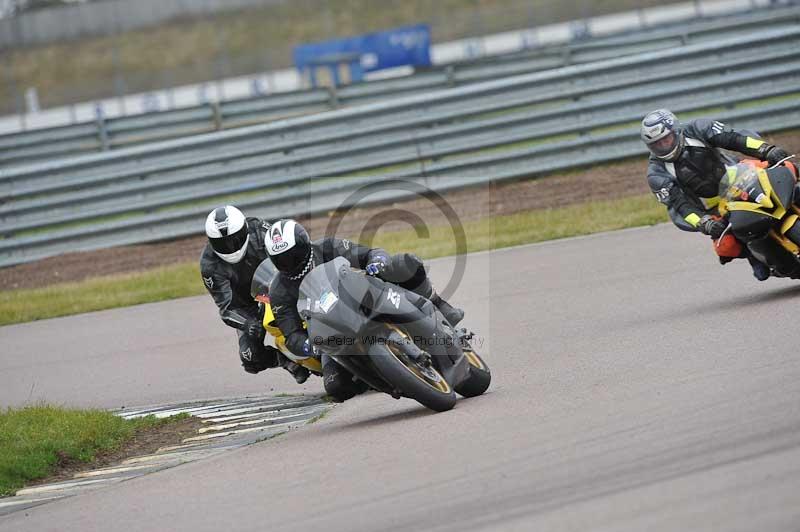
pixel 512 128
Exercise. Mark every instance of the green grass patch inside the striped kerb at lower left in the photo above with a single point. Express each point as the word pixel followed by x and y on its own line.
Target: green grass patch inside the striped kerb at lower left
pixel 34 440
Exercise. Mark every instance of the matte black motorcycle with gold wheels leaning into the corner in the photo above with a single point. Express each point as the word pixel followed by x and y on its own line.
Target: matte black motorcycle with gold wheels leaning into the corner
pixel 390 338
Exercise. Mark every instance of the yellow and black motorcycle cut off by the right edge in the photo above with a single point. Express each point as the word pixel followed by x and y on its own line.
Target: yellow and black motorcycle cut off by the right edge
pixel 761 207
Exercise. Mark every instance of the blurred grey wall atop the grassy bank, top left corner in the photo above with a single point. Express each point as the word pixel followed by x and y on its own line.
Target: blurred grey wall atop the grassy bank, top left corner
pixel 106 17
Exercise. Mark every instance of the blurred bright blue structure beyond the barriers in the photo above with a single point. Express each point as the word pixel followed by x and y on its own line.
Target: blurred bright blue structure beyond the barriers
pixel 405 46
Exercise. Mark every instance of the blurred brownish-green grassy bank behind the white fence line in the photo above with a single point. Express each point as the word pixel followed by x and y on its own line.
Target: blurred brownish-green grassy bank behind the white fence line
pixel 254 40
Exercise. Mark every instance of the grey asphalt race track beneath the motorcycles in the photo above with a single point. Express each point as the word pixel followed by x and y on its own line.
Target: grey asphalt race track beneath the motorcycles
pixel 637 386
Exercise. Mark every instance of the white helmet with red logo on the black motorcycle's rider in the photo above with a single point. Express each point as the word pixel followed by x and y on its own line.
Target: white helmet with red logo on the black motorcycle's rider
pixel 289 248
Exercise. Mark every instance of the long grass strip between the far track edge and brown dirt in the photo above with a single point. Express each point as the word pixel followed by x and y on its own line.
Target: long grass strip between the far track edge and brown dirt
pixel 182 280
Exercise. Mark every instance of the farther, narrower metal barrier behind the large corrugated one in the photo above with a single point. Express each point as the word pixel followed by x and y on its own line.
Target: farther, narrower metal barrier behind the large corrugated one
pixel 22 148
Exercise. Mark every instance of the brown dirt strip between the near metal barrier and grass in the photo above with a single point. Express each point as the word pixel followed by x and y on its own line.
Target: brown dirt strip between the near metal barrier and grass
pixel 600 183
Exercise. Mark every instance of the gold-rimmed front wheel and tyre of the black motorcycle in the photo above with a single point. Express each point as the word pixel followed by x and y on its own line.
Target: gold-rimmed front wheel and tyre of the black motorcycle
pixel 424 385
